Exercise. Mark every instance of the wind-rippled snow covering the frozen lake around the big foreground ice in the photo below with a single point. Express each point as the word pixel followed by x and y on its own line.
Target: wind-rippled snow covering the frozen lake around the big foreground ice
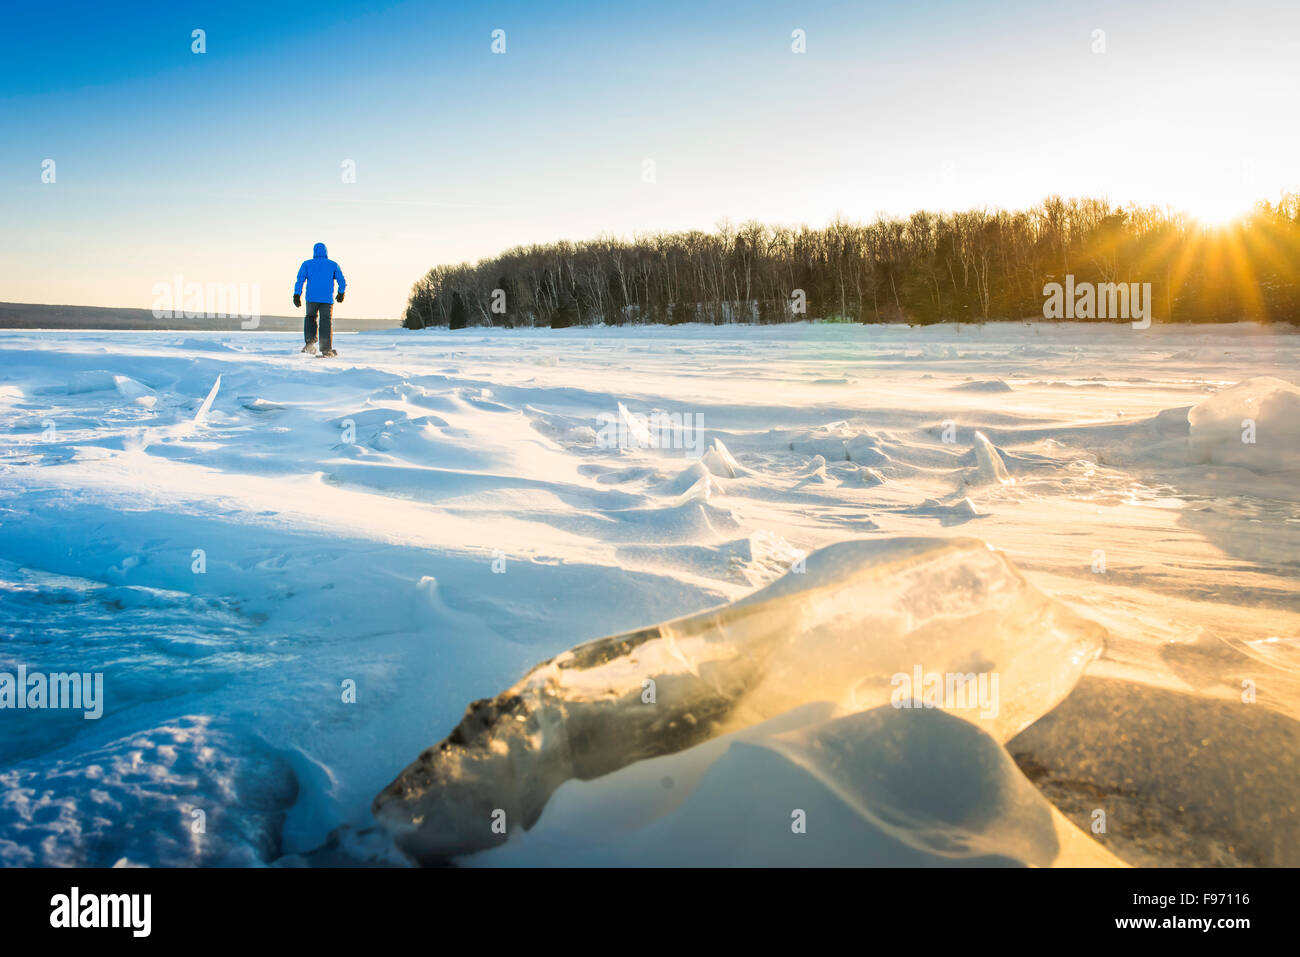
pixel 432 514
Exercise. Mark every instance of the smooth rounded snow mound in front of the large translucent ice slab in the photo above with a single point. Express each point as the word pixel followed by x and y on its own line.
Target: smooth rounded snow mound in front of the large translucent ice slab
pixel 856 780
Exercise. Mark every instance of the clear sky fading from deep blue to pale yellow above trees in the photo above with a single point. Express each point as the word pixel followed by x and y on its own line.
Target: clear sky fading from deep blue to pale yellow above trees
pixel 227 167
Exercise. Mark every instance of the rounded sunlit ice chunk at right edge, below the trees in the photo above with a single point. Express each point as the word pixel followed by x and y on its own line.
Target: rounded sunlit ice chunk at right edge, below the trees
pixel 1255 426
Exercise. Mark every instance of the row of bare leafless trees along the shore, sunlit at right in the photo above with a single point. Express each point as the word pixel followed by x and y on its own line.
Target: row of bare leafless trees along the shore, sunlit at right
pixel 973 266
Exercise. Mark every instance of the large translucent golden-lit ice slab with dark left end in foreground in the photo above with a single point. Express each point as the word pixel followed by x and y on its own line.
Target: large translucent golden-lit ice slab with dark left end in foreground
pixel 931 622
